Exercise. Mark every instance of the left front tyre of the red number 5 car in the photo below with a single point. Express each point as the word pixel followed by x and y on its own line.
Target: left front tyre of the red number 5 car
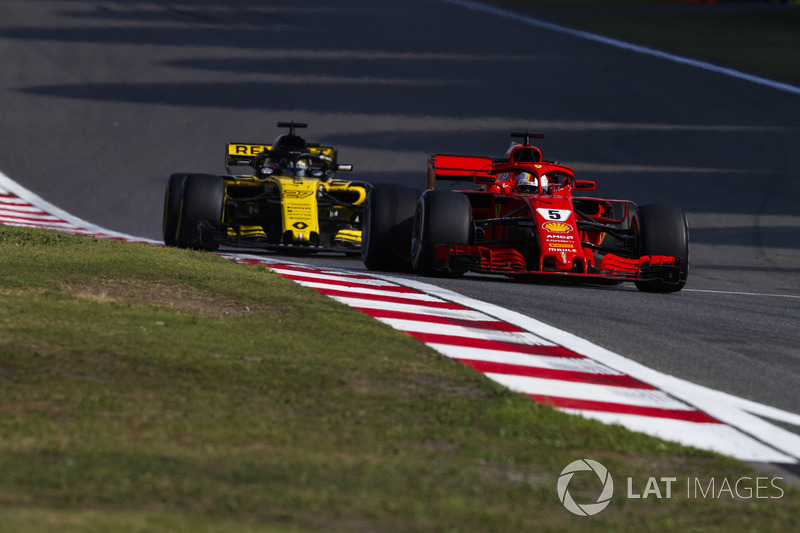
pixel 442 217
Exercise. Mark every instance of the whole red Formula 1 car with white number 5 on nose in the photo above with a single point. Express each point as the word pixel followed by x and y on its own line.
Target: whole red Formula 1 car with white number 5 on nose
pixel 522 219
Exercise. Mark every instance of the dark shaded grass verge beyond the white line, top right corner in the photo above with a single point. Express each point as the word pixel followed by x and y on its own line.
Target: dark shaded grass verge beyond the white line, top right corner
pixel 756 37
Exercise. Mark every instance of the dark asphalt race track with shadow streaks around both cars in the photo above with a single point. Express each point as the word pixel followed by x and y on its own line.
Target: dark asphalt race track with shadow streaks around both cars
pixel 103 100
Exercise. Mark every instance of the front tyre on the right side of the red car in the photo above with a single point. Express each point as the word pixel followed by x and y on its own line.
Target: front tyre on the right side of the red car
pixel 662 230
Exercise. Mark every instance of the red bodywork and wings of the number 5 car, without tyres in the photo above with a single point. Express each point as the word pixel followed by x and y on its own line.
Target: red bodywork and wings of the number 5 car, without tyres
pixel 541 231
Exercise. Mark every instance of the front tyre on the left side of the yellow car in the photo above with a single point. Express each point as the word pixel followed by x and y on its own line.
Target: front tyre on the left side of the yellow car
pixel 202 200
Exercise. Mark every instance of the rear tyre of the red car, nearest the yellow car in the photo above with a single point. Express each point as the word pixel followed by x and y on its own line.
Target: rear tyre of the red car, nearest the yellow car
pixel 388 221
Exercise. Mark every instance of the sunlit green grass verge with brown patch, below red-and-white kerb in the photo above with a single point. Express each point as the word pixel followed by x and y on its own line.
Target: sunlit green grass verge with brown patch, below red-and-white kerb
pixel 152 389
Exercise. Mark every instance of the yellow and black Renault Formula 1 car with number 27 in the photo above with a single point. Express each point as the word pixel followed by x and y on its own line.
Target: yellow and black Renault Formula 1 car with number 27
pixel 292 201
